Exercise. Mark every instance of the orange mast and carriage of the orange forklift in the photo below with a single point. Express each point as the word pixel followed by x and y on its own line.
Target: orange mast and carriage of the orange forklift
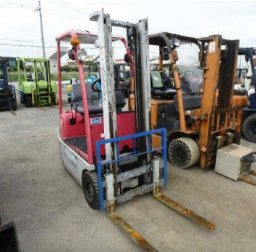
pixel 220 118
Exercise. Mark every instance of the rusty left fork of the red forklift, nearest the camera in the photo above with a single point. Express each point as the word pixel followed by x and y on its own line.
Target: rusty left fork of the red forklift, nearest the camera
pixel 132 233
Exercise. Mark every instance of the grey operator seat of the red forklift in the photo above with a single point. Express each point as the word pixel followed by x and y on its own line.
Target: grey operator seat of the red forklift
pixel 94 100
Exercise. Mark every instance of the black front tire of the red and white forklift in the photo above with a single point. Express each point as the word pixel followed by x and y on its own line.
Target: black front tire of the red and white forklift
pixel 91 190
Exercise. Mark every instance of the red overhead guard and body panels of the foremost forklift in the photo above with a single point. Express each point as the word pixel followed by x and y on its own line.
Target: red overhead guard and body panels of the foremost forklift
pixel 66 129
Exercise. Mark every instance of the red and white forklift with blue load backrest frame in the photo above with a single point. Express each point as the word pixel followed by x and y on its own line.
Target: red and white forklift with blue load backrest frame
pixel 106 149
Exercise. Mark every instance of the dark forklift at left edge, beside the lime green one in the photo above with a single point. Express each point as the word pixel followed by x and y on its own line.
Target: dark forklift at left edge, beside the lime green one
pixel 8 99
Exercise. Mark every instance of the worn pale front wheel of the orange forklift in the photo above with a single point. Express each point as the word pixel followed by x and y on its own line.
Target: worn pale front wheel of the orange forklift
pixel 183 152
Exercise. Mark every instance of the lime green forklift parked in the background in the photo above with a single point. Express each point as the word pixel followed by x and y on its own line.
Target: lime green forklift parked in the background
pixel 35 85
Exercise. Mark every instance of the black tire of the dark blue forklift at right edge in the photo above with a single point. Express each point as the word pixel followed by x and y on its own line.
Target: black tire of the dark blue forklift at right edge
pixel 249 128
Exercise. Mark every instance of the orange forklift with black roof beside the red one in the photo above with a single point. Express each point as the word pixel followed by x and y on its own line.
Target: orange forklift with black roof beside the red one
pixel 198 123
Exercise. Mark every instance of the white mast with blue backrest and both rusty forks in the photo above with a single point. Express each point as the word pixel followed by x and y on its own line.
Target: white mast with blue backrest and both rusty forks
pixel 142 164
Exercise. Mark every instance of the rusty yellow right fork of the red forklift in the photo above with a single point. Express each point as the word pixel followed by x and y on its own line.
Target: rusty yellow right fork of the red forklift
pixel 184 211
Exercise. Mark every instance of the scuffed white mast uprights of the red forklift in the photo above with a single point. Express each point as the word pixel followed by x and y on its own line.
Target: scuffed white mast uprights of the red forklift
pixel 138 43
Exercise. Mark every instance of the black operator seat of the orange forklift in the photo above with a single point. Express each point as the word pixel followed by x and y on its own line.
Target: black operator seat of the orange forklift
pixel 158 90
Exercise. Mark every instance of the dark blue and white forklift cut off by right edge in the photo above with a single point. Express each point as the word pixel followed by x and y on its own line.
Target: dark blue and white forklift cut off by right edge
pixel 249 113
